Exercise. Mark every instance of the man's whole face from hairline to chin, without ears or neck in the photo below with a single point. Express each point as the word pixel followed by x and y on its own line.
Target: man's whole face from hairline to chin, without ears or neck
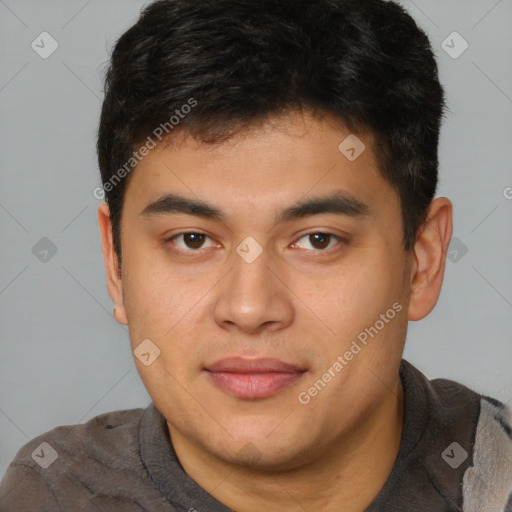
pixel 278 320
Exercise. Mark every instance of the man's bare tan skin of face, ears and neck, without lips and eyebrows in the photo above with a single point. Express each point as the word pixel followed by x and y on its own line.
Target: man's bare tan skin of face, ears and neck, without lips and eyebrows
pixel 299 301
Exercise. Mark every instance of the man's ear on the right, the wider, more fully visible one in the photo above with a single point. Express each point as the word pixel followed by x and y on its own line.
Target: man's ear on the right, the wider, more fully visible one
pixel 429 262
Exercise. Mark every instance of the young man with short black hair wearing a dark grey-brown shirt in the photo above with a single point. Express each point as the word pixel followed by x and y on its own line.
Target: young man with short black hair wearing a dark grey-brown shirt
pixel 269 229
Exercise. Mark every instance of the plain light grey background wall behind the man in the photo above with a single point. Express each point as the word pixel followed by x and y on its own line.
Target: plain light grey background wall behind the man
pixel 64 359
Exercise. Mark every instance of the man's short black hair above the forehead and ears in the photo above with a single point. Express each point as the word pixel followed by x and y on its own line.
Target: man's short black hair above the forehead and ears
pixel 215 67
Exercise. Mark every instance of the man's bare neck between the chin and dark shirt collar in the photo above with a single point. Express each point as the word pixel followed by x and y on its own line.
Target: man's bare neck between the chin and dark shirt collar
pixel 347 476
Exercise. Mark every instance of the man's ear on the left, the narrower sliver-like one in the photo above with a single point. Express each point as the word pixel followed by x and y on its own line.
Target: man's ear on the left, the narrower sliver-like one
pixel 112 271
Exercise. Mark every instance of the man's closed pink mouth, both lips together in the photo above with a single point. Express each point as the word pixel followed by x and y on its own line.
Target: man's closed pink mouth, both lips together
pixel 252 379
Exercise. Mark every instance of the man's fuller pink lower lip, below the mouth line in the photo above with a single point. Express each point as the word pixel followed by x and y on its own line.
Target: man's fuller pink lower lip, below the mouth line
pixel 253 385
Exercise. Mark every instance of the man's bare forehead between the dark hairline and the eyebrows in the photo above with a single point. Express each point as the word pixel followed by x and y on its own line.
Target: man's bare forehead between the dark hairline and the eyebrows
pixel 276 164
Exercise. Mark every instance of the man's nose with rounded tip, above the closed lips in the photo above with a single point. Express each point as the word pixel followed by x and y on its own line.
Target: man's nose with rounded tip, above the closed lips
pixel 254 296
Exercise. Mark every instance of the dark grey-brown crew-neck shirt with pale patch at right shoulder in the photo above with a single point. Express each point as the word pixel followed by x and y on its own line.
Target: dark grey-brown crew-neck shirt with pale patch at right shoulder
pixel 455 454
